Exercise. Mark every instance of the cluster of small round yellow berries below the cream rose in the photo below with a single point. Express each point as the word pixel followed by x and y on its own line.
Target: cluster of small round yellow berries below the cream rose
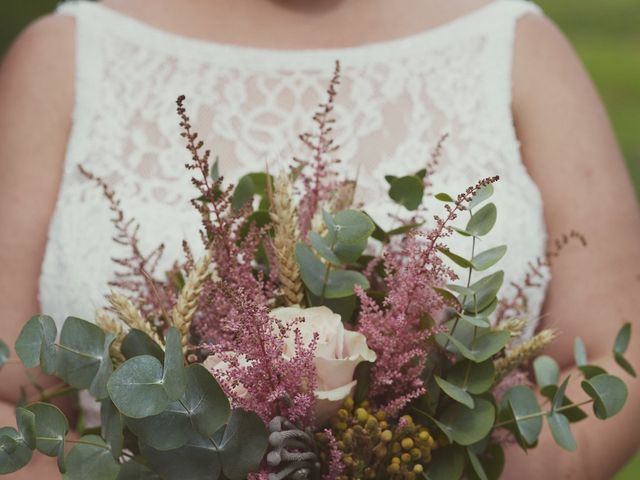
pixel 373 448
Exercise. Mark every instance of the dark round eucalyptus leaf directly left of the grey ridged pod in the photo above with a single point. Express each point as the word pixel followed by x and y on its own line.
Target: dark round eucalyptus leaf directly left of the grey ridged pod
pixel 243 444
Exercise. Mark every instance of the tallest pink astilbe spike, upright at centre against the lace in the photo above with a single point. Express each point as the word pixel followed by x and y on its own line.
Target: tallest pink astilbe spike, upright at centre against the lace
pixel 317 176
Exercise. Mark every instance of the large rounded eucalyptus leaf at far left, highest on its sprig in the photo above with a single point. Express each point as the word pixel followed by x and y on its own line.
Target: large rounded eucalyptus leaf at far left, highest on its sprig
pixel 35 344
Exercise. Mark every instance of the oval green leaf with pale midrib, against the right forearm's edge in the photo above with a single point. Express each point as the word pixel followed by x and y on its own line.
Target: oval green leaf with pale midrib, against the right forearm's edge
pixel 522 403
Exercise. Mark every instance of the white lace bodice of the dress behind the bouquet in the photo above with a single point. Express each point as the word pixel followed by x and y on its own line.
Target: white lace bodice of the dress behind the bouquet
pixel 396 100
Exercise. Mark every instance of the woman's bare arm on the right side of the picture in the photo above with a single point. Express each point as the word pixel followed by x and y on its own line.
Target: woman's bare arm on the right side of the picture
pixel 571 153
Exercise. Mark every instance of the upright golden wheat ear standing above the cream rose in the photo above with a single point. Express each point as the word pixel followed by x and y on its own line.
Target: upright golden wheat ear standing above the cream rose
pixel 286 236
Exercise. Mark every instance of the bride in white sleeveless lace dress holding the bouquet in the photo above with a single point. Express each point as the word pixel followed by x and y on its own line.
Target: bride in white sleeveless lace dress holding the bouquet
pixel 95 84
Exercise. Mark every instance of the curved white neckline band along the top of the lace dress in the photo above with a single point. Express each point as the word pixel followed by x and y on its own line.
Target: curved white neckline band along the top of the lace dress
pixel 180 45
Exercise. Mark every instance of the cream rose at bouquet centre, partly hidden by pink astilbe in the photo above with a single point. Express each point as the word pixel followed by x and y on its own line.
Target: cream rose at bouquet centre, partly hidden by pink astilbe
pixel 338 353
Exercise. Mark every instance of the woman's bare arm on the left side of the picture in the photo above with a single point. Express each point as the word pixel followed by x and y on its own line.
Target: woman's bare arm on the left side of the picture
pixel 36 95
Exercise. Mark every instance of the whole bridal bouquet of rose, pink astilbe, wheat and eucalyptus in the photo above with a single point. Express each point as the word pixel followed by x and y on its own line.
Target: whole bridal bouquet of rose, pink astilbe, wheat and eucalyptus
pixel 307 342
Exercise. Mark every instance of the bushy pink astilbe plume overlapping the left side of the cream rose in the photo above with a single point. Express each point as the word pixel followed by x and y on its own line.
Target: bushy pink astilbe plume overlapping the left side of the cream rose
pixel 257 375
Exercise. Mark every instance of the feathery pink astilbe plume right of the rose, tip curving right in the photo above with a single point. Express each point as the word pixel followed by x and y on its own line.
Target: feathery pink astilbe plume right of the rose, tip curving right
pixel 394 330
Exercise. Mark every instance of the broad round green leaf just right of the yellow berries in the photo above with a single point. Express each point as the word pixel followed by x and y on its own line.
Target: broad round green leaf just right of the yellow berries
pixel 467 426
